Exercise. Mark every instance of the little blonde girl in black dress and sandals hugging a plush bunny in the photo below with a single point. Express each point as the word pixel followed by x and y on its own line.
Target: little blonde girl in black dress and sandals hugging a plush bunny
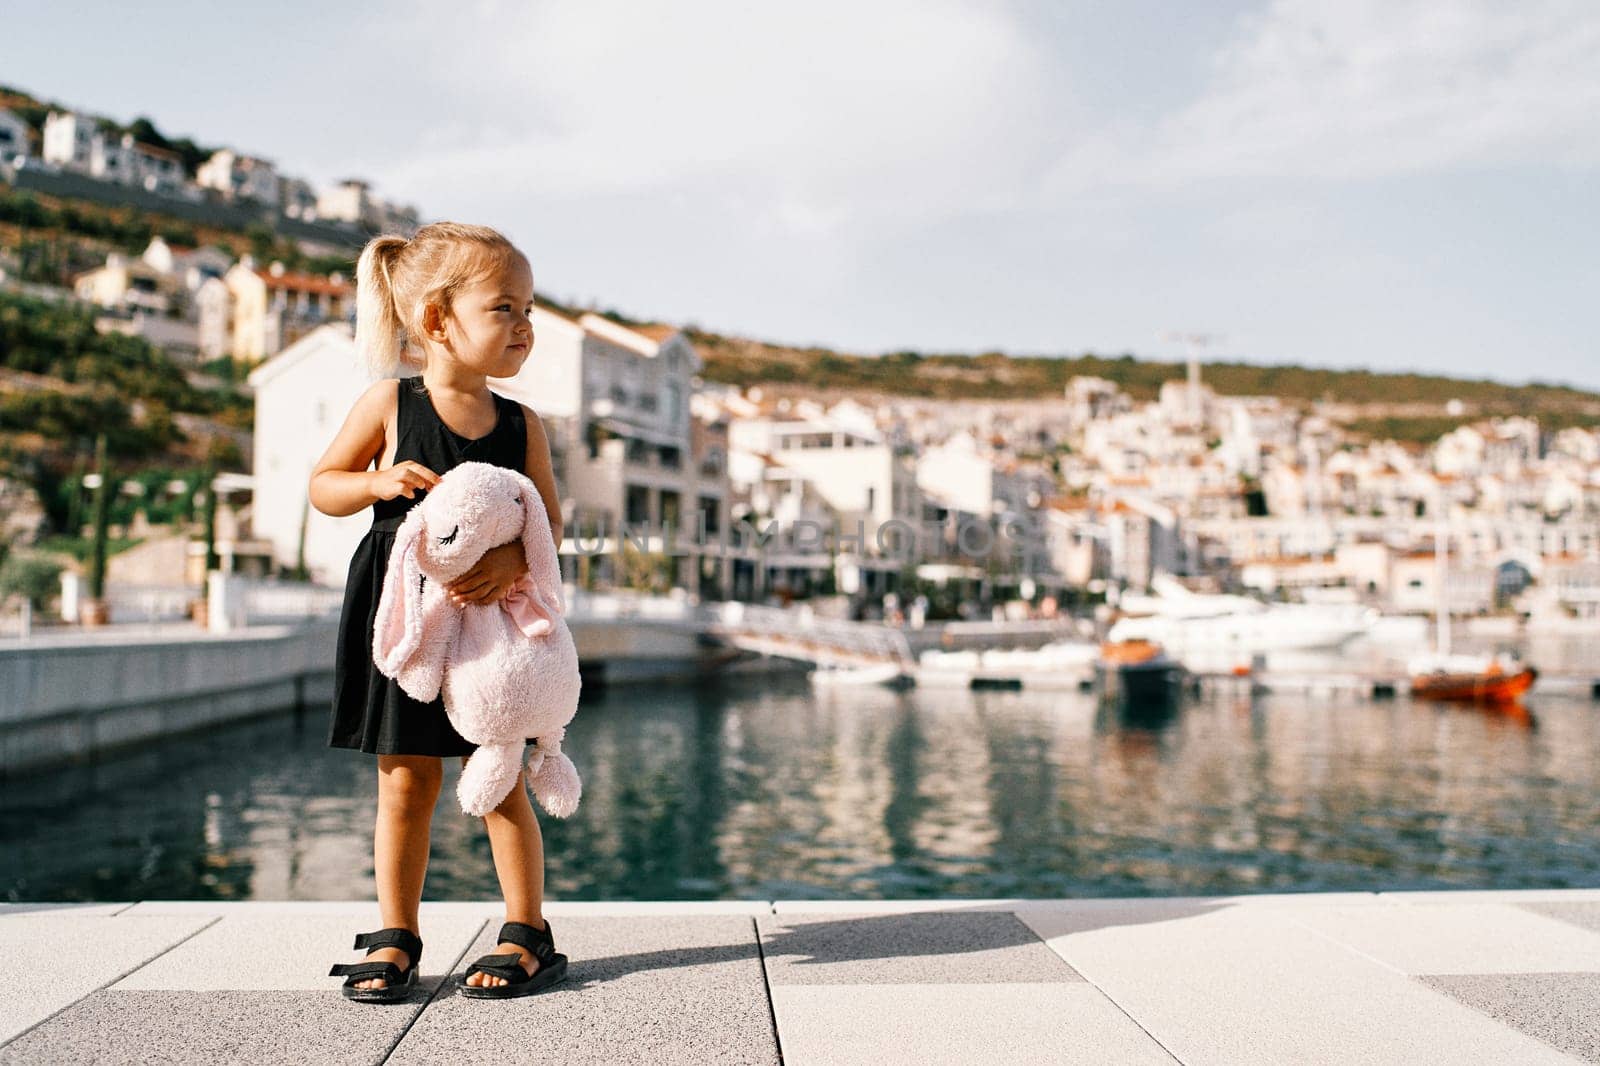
pixel 455 303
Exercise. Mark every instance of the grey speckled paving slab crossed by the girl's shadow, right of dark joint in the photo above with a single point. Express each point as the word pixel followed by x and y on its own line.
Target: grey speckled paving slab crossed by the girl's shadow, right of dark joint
pixel 919 948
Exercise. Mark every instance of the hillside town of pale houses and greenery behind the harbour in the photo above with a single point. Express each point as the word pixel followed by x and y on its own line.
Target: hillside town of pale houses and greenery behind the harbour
pixel 193 305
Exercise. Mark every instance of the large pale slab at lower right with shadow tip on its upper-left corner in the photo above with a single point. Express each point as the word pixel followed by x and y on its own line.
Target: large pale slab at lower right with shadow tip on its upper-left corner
pixel 1239 985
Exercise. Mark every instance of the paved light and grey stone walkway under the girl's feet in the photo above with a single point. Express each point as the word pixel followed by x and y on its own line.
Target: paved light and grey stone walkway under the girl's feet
pixel 1466 977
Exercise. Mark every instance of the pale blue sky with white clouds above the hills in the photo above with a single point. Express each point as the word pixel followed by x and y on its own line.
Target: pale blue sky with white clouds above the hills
pixel 1396 185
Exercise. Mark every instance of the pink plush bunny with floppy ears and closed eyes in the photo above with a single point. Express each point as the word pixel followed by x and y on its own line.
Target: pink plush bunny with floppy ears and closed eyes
pixel 508 670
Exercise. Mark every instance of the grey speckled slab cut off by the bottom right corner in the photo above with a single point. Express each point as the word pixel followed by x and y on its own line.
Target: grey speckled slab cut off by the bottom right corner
pixel 1561 1009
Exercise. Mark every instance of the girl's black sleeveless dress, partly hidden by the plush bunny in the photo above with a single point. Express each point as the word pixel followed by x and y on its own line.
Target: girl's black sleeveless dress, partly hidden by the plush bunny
pixel 370 711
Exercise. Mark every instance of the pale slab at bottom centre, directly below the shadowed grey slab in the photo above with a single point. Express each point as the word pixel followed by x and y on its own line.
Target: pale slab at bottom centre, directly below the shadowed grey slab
pixel 886 1025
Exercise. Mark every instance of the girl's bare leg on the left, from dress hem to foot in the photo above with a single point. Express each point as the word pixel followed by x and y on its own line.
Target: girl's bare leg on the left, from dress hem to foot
pixel 407 793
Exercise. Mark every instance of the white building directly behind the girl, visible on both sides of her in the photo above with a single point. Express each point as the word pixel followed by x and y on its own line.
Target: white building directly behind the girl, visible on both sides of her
pixel 612 462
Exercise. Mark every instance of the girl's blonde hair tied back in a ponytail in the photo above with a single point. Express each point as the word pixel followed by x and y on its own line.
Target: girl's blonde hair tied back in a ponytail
pixel 396 281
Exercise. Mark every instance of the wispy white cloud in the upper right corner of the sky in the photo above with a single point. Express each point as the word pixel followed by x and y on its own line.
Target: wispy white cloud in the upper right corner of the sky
pixel 1369 89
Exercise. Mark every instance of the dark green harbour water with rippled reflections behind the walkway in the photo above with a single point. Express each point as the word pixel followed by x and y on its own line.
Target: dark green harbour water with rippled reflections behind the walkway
pixel 770 790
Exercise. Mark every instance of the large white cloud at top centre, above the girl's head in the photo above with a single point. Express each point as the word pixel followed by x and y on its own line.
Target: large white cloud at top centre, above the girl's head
pixel 809 122
